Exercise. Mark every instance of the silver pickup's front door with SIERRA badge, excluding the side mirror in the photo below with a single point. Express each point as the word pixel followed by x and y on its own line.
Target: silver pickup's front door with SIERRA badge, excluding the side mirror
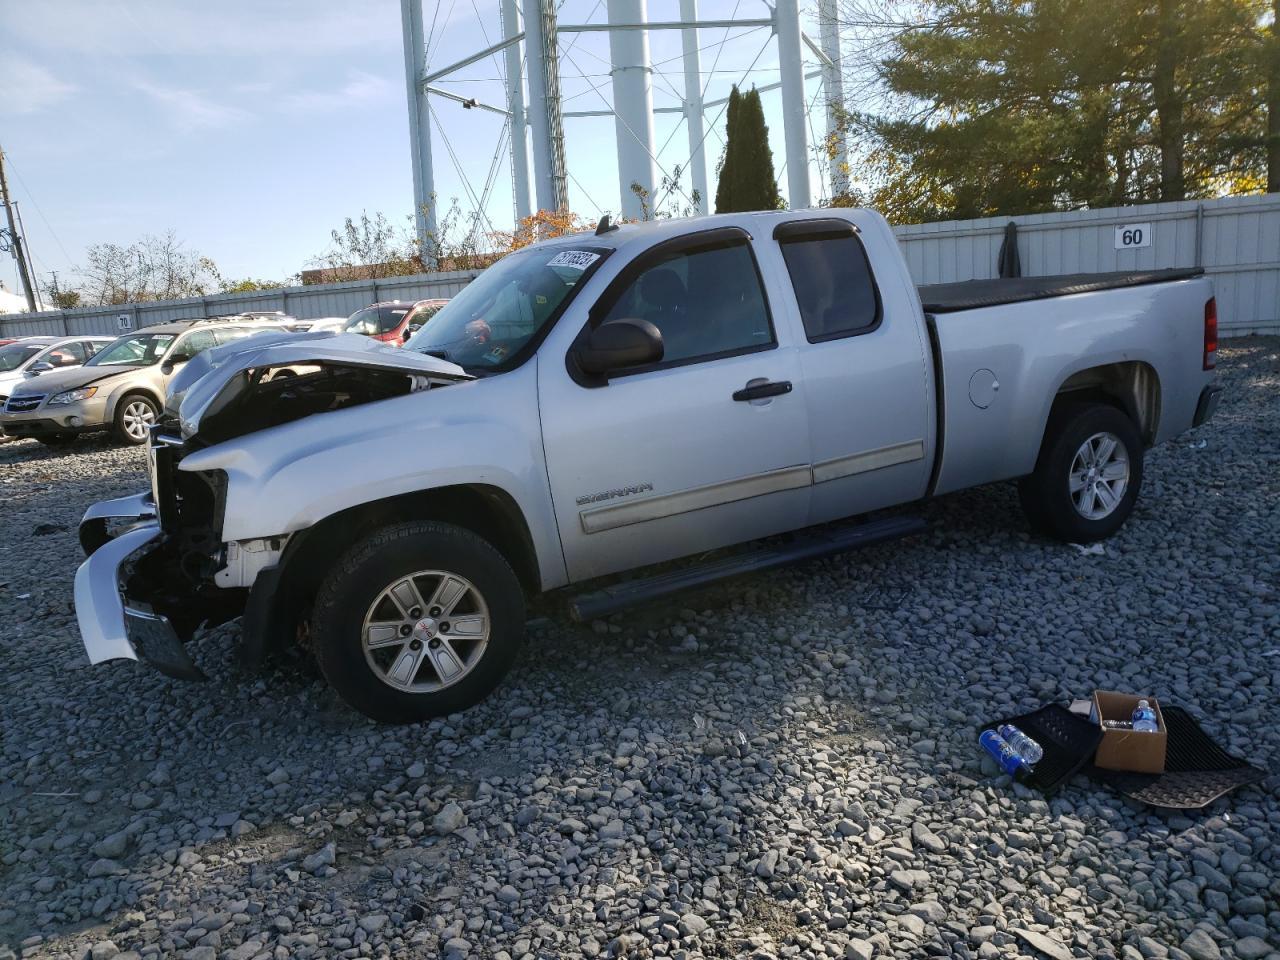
pixel 708 447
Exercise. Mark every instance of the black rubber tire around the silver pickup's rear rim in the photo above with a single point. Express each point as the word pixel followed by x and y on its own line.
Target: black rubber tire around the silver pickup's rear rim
pixel 1046 496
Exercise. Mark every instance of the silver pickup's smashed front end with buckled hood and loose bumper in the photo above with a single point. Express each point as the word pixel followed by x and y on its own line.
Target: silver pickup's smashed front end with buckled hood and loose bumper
pixel 158 569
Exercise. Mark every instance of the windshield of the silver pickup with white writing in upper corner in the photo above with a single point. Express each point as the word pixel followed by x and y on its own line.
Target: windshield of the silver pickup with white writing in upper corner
pixel 505 308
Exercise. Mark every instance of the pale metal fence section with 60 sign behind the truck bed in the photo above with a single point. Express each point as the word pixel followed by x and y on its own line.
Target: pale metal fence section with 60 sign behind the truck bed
pixel 1237 240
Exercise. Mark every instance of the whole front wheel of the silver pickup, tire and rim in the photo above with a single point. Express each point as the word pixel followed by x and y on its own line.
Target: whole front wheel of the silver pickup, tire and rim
pixel 419 620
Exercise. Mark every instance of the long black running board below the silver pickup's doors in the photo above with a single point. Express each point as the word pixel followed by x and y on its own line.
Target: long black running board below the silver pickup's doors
pixel 802 547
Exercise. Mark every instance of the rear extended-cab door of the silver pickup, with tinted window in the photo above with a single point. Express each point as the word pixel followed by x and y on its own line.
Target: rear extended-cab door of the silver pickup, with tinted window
pixel 865 363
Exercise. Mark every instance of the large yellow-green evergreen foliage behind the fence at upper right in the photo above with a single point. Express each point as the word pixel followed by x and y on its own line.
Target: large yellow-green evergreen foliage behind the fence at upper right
pixel 1007 107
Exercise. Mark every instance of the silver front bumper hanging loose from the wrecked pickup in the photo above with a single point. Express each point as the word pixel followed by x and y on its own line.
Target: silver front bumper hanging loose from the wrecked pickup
pixel 115 627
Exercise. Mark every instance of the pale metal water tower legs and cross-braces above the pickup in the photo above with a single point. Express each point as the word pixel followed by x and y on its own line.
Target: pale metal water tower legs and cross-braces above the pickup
pixel 534 106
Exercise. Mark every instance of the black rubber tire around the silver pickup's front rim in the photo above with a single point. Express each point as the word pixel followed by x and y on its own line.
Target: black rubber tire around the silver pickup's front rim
pixel 376 564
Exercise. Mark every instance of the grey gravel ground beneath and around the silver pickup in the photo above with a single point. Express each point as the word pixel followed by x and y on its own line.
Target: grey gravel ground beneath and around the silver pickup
pixel 781 767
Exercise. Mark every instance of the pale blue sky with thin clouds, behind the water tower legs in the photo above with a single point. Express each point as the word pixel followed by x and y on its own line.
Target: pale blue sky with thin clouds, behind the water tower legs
pixel 254 127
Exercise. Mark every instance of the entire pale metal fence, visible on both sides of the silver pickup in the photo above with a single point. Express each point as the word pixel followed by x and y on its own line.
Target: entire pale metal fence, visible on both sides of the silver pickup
pixel 1237 241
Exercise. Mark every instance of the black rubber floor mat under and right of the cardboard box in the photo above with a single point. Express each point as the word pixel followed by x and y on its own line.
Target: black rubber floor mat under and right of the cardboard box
pixel 1197 771
